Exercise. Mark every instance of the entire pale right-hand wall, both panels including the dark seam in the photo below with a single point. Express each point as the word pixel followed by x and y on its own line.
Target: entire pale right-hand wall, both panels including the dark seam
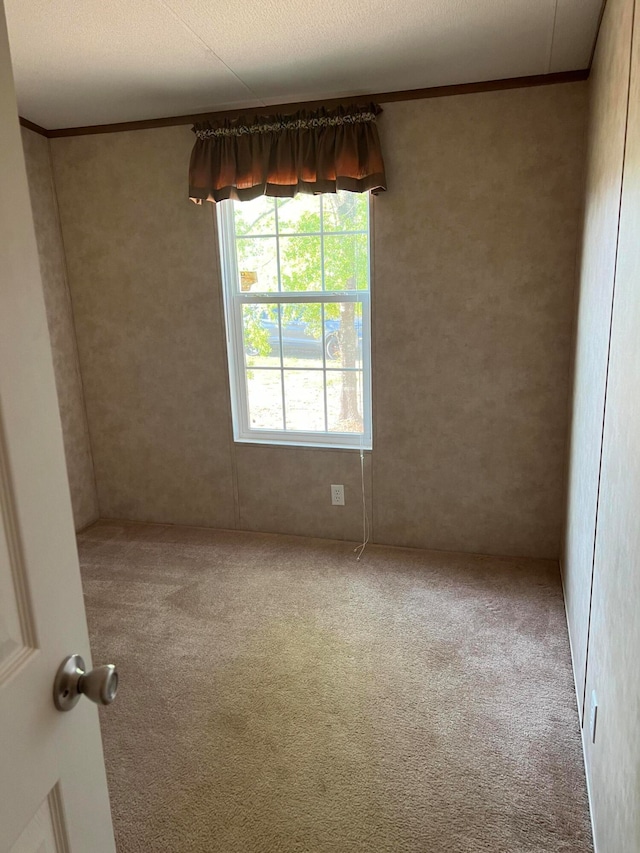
pixel 611 628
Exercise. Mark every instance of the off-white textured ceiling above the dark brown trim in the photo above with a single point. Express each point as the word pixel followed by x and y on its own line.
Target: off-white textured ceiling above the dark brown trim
pixel 84 62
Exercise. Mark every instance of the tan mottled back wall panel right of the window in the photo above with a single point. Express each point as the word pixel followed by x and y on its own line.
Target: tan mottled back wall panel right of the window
pixel 475 247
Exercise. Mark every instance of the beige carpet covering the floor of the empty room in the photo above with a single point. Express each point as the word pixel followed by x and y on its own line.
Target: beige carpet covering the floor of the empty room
pixel 278 696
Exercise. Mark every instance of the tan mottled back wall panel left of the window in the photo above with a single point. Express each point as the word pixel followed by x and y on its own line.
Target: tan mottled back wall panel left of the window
pixel 141 260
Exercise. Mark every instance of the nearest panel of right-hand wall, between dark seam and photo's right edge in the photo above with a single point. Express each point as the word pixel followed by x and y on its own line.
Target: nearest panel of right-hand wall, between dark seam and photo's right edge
pixel 614 672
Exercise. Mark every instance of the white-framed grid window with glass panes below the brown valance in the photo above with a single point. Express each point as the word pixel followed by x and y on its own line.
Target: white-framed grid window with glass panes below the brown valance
pixel 296 284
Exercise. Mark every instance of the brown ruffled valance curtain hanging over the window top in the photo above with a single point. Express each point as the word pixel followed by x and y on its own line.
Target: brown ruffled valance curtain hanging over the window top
pixel 309 152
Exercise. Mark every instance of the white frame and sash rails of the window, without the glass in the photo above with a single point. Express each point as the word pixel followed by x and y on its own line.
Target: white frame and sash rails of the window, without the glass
pixel 234 299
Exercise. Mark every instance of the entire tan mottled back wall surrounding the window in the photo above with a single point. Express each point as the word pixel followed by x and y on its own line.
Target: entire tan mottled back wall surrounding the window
pixel 474 252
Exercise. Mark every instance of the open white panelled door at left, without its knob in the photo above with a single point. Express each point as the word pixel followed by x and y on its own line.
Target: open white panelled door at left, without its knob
pixel 53 792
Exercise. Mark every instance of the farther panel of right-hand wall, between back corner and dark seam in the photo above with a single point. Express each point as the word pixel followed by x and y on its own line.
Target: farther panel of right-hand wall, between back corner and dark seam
pixel 608 110
